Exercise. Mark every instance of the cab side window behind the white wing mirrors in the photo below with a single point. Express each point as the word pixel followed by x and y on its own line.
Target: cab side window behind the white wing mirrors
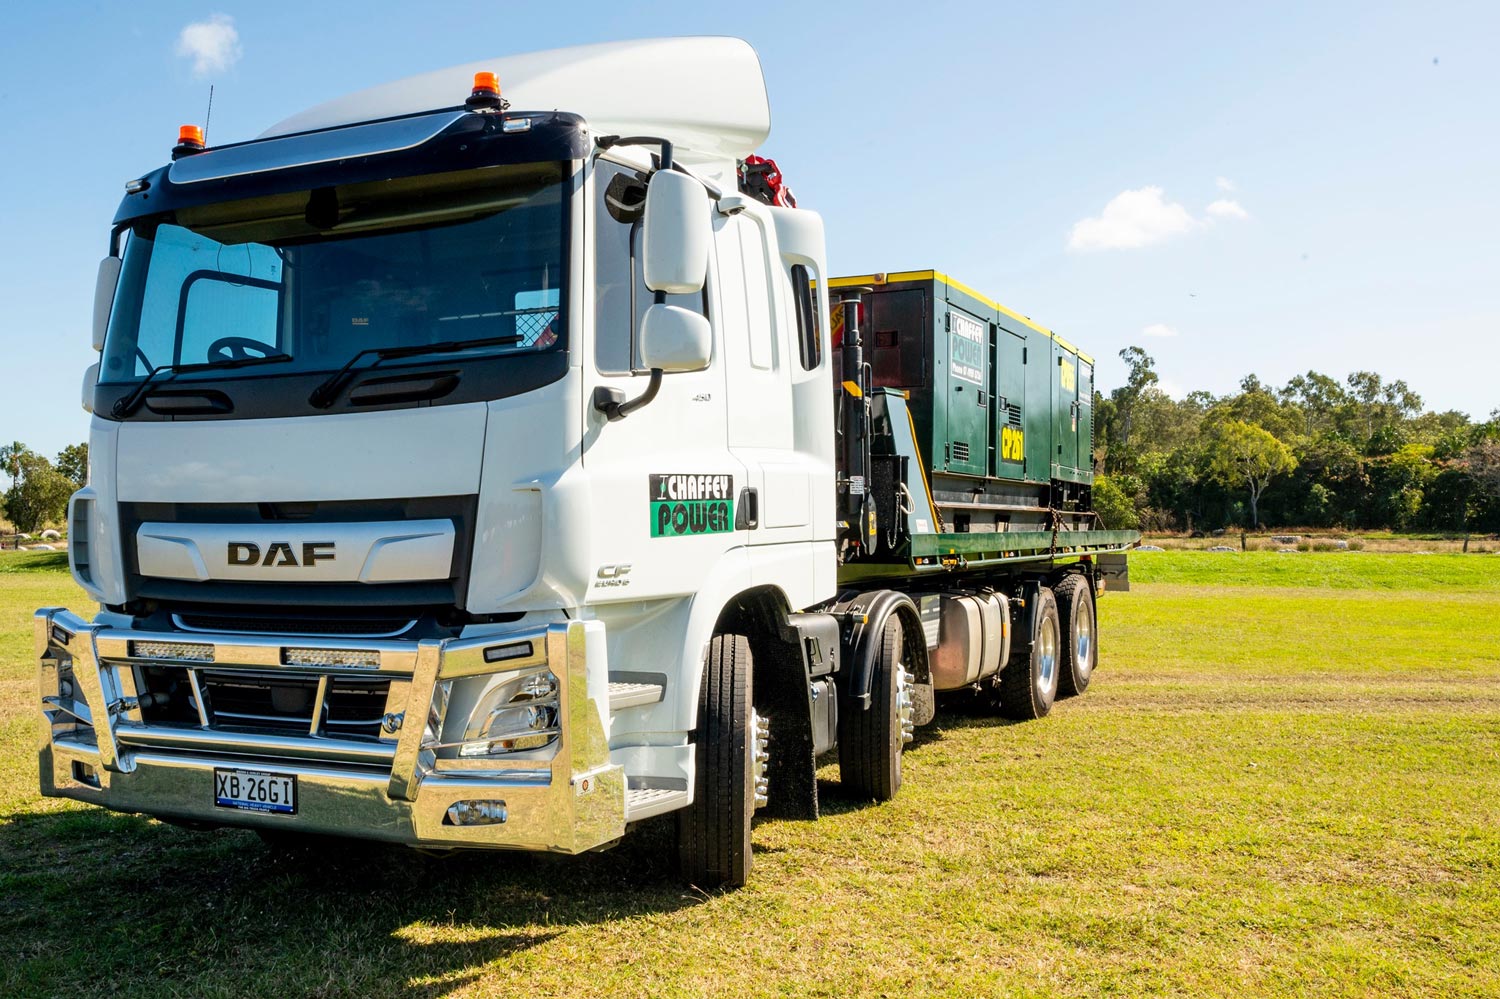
pixel 620 292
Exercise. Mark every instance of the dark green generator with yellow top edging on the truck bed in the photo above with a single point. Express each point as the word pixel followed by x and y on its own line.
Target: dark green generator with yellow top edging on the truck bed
pixel 982 422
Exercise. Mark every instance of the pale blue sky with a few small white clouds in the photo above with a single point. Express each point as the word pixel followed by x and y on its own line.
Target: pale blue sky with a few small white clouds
pixel 1252 188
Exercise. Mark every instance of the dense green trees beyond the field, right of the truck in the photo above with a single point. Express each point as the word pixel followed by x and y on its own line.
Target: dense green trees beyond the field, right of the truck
pixel 1318 452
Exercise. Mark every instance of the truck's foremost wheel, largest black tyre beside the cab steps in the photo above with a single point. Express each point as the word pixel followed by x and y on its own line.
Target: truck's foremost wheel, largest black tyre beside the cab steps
pixel 715 832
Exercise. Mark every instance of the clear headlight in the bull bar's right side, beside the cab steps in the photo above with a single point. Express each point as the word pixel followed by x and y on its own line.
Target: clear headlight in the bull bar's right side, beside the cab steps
pixel 502 713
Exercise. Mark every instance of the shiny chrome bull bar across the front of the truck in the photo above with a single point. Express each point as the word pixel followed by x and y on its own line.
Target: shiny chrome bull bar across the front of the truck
pixel 100 746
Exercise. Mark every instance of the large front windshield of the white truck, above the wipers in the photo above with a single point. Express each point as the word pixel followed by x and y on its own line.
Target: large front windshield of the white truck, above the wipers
pixel 322 275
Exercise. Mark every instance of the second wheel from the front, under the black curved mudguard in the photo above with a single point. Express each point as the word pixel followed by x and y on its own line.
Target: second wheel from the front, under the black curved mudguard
pixel 871 742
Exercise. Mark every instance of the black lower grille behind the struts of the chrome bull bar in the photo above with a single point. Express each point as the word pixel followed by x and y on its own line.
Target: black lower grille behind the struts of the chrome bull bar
pixel 268 703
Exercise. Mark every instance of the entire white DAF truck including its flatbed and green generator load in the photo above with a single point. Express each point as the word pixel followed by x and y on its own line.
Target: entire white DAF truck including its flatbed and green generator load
pixel 484 464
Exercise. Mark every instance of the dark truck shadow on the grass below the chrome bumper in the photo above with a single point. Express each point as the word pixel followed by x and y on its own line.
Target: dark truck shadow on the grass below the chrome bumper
pixel 94 902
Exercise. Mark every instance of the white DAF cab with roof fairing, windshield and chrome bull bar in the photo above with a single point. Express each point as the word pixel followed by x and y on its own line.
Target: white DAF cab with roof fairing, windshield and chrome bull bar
pixel 383 539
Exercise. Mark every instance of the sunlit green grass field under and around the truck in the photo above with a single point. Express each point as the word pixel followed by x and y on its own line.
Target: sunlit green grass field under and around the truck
pixel 1285 781
